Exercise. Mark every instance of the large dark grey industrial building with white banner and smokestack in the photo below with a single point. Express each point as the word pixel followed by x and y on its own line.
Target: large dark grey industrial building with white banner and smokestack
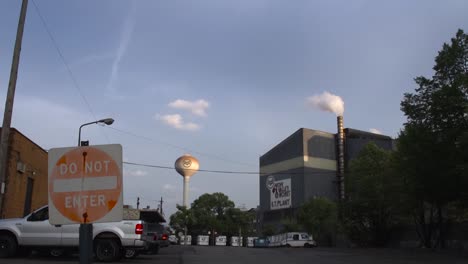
pixel 307 164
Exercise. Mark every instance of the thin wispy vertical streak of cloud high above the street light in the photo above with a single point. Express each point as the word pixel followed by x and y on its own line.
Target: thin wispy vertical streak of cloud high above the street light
pixel 125 38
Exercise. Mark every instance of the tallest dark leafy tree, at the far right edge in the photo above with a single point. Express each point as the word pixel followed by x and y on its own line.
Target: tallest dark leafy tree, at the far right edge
pixel 432 148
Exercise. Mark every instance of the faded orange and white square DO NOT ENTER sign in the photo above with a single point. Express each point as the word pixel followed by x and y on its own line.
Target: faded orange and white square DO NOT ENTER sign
pixel 85 184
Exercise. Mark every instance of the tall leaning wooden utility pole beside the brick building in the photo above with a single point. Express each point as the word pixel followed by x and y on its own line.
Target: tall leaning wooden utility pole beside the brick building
pixel 9 103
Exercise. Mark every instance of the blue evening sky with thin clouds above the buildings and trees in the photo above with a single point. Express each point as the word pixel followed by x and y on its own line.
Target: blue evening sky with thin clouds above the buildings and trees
pixel 224 81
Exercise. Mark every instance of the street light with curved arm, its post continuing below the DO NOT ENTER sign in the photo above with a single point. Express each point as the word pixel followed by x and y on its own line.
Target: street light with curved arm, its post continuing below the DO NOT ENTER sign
pixel 86 230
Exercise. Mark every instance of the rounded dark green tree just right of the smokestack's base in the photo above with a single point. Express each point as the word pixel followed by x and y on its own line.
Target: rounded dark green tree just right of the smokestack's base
pixel 373 195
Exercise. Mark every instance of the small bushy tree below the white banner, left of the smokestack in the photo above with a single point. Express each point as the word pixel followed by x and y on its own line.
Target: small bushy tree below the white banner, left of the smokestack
pixel 319 217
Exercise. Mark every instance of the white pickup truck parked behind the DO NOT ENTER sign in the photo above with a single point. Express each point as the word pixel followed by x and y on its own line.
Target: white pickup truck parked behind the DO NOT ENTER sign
pixel 110 240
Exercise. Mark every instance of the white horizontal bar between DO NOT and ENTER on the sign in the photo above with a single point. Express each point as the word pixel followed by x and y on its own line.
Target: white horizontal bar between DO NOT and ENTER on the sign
pixel 88 183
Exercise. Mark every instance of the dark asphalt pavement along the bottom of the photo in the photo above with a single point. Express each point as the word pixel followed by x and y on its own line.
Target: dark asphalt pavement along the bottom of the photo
pixel 230 255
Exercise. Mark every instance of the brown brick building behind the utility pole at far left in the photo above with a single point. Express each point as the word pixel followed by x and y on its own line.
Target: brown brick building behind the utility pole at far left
pixel 25 186
